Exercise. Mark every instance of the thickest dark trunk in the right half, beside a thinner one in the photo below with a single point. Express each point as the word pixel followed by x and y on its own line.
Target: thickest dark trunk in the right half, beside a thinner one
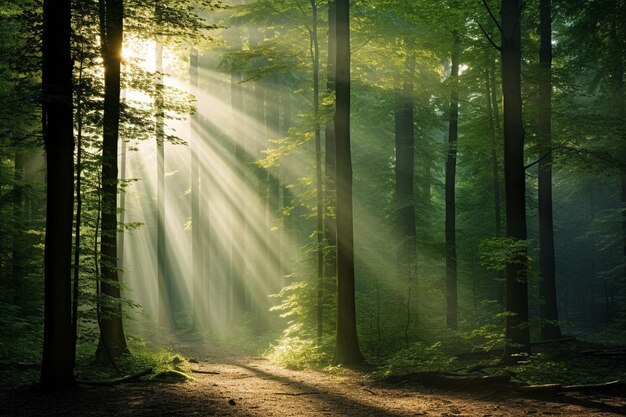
pixel 517 334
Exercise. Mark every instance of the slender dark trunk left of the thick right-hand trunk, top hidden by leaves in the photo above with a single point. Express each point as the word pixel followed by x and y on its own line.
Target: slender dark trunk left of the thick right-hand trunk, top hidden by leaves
pixel 450 226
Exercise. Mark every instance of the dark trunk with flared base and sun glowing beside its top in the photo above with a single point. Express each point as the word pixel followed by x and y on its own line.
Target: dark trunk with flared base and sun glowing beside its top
pixel 112 342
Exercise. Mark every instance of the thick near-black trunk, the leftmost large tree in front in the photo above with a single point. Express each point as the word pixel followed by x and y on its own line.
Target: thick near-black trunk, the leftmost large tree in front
pixel 57 123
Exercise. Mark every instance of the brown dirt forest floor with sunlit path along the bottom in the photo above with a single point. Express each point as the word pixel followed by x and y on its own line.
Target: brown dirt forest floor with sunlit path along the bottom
pixel 241 385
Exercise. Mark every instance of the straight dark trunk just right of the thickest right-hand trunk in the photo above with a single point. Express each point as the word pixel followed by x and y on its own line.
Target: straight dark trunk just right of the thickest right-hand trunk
pixel 547 288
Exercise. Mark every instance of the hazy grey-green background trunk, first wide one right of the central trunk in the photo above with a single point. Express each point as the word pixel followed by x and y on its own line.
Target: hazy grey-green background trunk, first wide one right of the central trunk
pixel 404 192
